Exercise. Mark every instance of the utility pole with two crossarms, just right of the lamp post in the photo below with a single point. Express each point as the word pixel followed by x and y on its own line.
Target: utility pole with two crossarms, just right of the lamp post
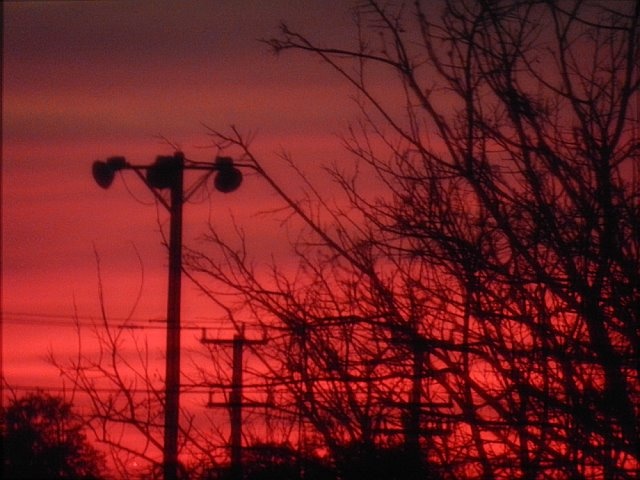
pixel 236 397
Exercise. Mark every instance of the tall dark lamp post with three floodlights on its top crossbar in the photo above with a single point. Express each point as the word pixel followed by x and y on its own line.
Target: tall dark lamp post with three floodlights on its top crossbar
pixel 167 172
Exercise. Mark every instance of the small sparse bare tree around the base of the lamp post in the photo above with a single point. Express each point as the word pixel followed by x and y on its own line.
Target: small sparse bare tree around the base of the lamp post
pixel 118 374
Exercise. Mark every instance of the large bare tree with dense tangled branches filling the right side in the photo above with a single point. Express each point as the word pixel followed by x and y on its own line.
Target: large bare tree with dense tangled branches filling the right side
pixel 480 307
